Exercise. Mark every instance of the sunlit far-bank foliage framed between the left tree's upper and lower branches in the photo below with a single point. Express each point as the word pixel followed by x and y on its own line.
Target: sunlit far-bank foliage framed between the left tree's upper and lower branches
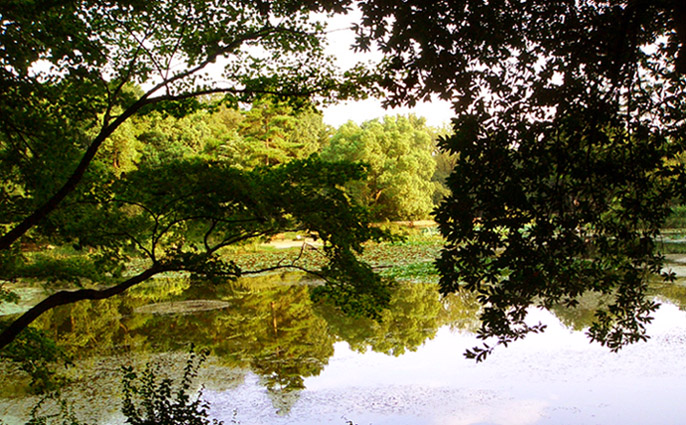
pixel 269 132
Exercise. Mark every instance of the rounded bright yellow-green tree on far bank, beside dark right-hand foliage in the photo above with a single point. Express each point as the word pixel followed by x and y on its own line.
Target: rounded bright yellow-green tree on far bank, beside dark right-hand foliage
pixel 398 152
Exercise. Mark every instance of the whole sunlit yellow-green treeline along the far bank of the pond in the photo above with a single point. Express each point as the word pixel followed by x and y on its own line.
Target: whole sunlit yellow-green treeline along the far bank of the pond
pixel 405 169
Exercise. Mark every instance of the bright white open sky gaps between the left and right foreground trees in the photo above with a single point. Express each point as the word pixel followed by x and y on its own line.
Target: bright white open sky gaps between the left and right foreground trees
pixel 437 113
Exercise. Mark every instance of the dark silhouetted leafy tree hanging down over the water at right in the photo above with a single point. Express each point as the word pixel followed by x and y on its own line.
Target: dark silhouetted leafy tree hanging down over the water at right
pixel 569 122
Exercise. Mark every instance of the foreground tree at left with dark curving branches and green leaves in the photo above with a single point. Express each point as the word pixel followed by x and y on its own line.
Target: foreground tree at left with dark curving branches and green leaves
pixel 66 80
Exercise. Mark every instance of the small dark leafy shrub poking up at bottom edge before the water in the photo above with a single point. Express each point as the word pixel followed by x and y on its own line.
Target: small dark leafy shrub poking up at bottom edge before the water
pixel 149 400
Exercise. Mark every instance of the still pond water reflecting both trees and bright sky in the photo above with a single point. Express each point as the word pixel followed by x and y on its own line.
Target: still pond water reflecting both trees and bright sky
pixel 277 358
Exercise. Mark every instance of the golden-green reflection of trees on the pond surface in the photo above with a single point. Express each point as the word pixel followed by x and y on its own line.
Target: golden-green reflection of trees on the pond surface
pixel 267 325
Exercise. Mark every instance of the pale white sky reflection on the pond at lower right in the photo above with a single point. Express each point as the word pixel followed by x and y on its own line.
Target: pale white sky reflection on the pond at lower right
pixel 557 377
